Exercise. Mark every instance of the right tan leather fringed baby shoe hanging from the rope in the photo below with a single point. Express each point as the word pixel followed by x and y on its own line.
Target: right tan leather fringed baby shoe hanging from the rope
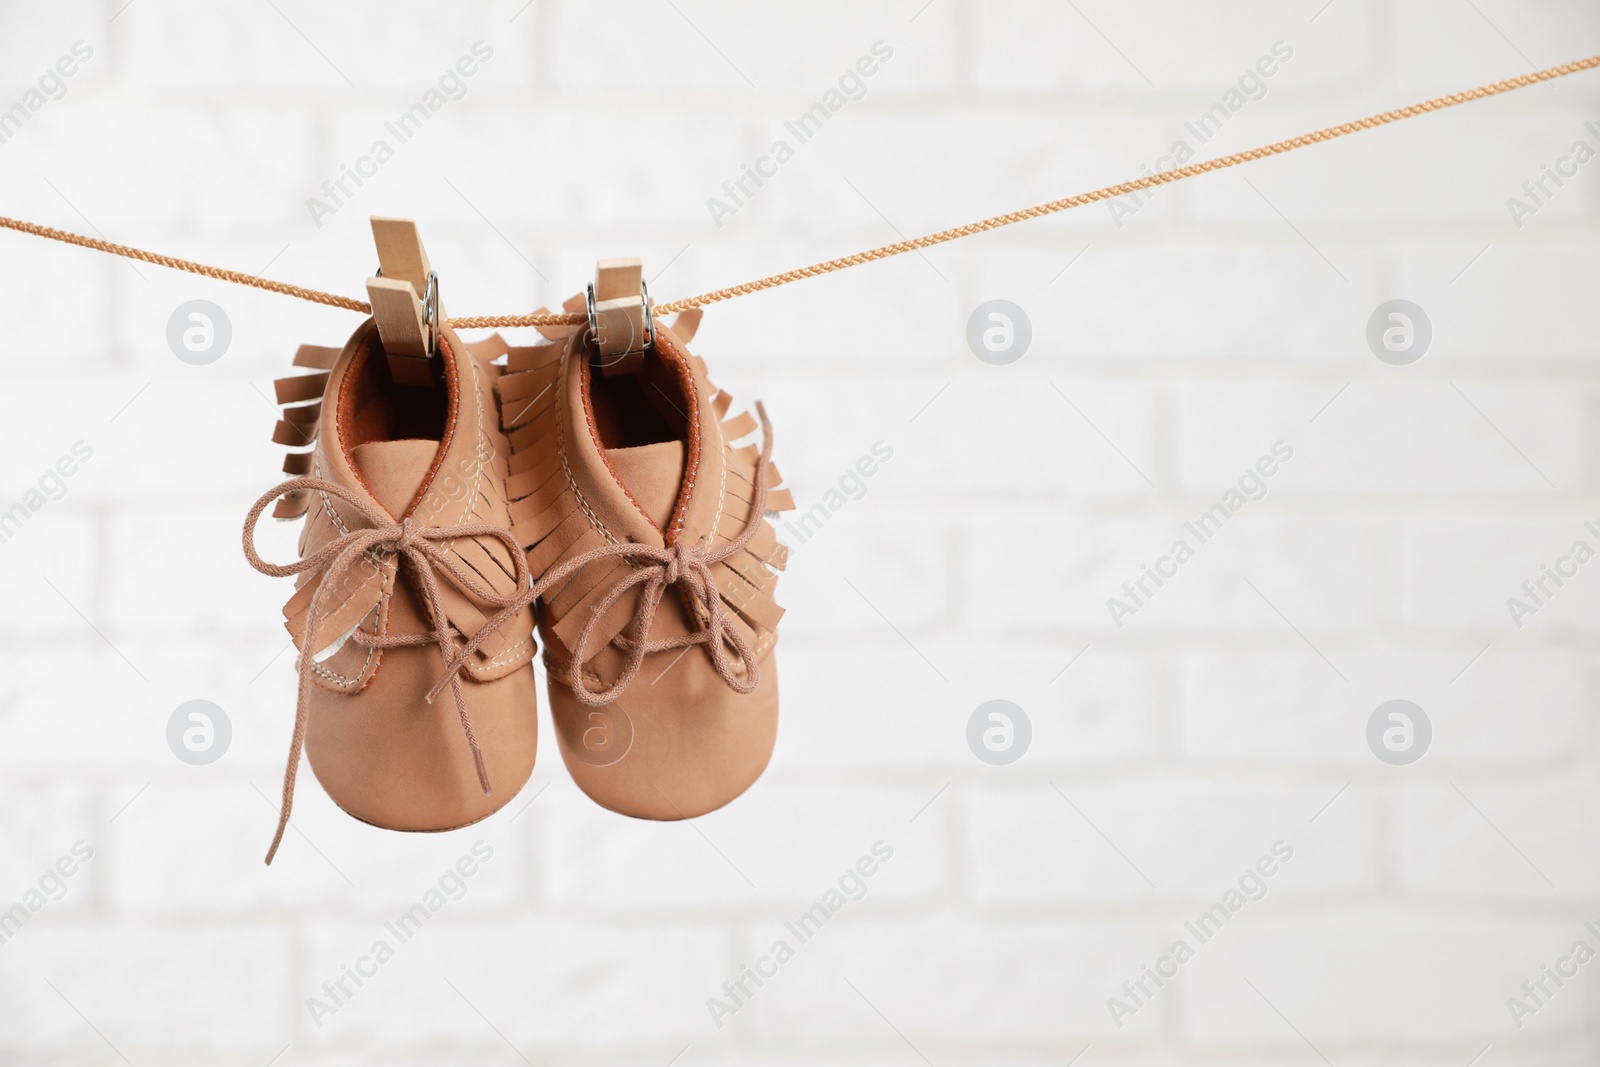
pixel 628 489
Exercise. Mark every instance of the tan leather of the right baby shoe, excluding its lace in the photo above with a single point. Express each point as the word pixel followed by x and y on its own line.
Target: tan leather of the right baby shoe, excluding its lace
pixel 678 741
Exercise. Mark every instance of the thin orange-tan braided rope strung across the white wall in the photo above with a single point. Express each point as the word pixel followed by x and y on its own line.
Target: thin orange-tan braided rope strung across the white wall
pixel 550 319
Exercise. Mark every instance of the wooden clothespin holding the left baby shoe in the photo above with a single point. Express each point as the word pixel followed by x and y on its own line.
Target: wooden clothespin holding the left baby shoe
pixel 406 302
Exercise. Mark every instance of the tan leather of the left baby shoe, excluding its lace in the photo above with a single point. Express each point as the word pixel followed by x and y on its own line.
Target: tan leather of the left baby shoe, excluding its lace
pixel 378 748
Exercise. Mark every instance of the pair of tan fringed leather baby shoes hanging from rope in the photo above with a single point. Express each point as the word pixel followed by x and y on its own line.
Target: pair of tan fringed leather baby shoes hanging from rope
pixel 463 506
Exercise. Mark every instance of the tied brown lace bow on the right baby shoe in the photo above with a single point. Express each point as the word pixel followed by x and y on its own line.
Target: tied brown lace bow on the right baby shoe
pixel 684 565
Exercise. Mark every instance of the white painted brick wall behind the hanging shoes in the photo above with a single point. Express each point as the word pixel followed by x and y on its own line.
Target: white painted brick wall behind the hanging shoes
pixel 1166 759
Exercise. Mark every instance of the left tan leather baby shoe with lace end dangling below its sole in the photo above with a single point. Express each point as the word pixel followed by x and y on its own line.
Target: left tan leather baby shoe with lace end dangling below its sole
pixel 404 556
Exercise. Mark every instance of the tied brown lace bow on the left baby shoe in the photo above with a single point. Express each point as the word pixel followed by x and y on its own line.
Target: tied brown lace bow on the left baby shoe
pixel 420 546
